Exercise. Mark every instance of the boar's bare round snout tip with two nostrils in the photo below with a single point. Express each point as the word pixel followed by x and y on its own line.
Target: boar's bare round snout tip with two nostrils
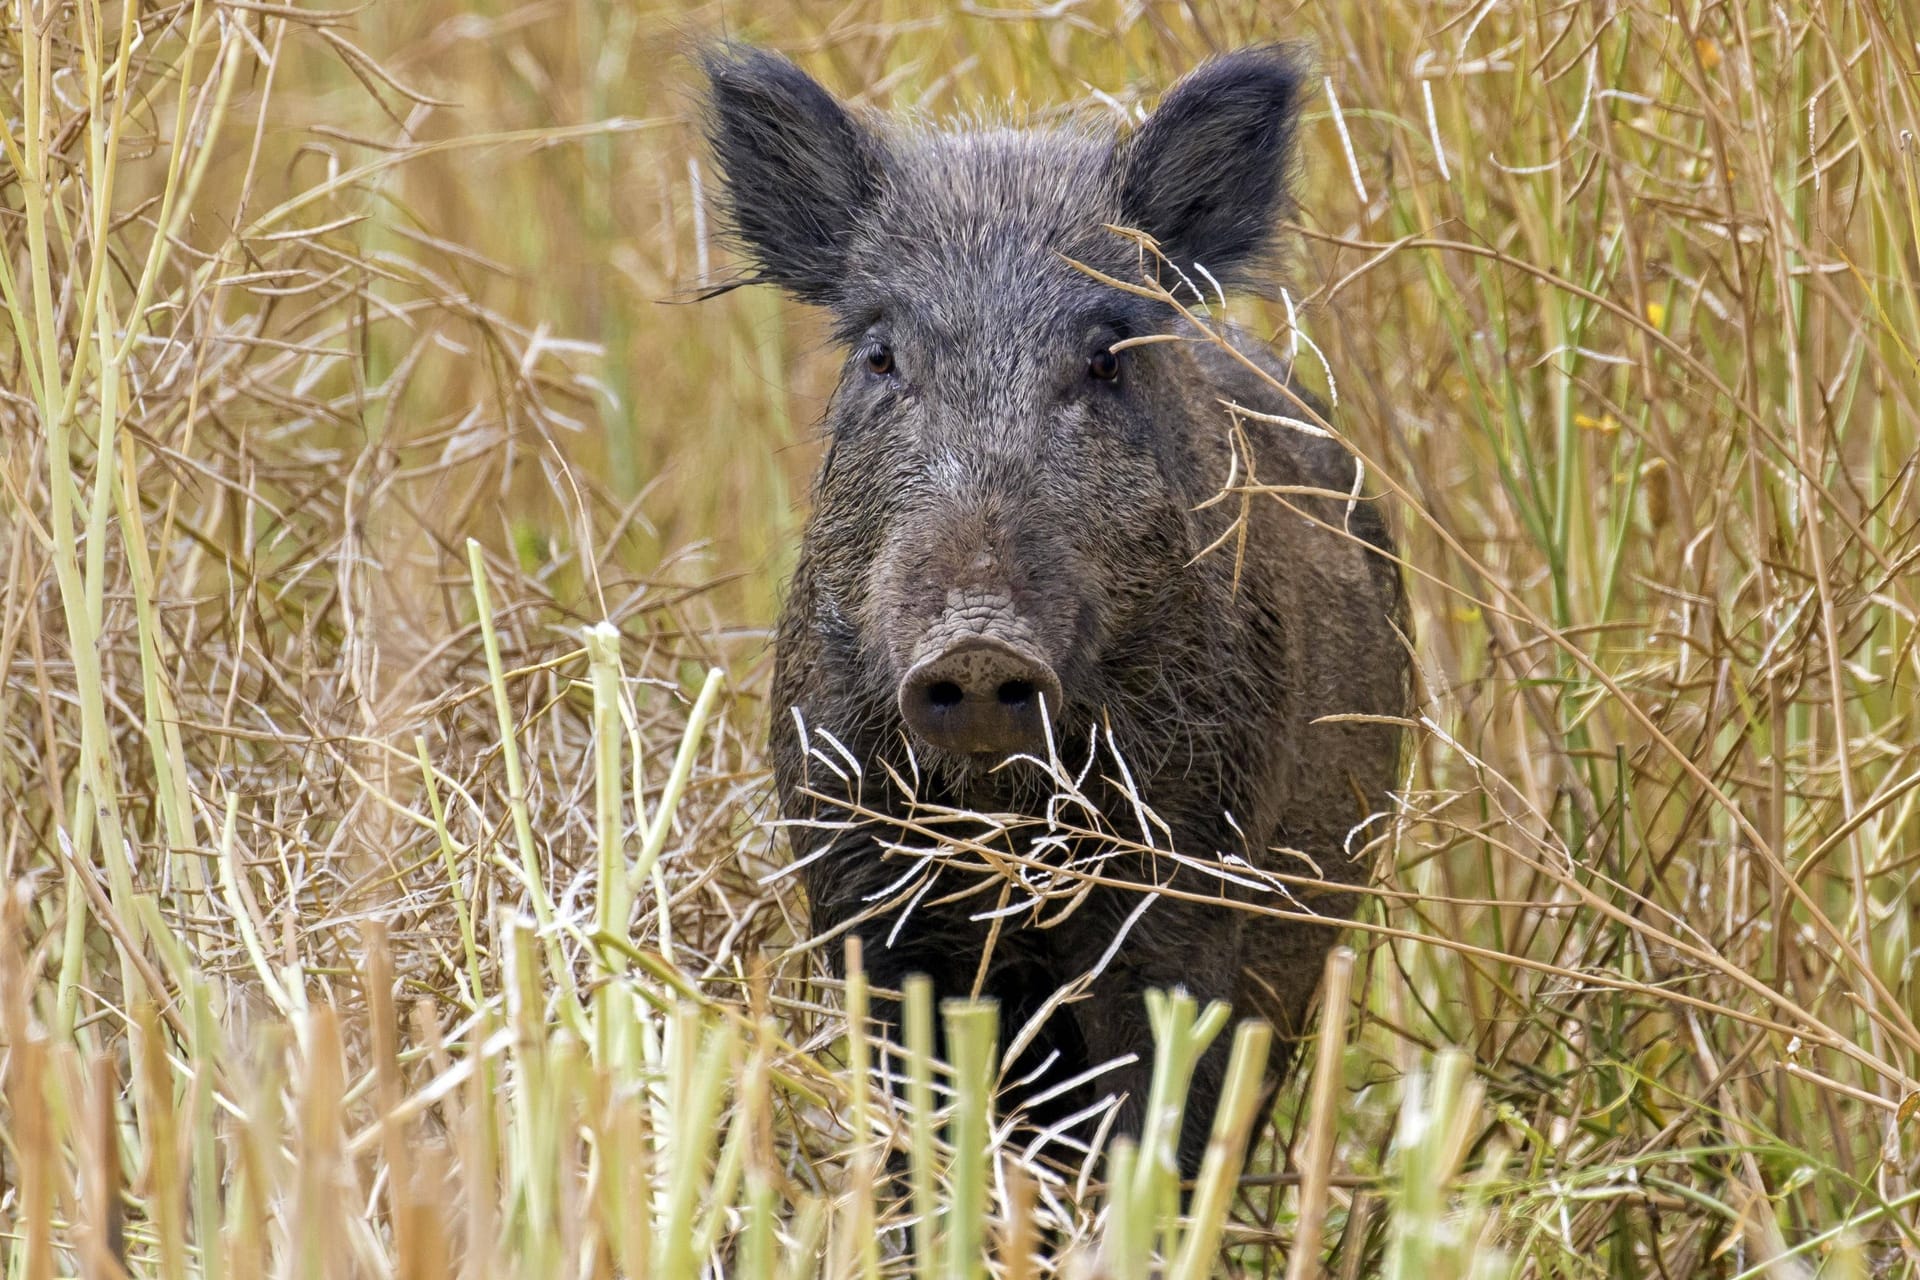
pixel 980 698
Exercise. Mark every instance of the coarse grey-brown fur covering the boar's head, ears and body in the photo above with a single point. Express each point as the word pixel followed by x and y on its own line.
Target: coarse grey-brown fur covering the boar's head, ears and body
pixel 978 477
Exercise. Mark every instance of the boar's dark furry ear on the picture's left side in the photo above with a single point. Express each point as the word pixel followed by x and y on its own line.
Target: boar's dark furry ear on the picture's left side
pixel 798 168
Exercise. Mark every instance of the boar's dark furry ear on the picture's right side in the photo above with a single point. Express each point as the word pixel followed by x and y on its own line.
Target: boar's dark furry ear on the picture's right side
pixel 1207 174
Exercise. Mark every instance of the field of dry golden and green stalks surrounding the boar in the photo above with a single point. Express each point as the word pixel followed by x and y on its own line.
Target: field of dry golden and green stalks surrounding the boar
pixel 1620 306
